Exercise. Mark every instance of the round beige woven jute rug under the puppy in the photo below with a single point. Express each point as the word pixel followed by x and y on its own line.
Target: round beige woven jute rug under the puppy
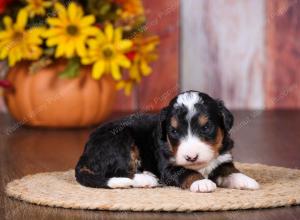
pixel 279 187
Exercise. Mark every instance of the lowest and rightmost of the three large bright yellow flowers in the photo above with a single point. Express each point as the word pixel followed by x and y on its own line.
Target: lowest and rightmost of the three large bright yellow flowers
pixel 107 53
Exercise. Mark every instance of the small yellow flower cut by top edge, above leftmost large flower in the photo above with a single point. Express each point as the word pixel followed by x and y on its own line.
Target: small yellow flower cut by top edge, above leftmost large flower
pixel 37 7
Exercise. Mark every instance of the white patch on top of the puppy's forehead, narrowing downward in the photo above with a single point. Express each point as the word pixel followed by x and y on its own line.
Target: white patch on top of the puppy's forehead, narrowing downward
pixel 188 99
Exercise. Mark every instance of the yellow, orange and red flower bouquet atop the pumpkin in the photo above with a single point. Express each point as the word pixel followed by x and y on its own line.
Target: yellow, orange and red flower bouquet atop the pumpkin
pixel 106 34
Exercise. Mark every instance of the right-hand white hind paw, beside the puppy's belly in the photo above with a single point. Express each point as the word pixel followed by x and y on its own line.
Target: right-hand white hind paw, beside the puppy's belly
pixel 145 179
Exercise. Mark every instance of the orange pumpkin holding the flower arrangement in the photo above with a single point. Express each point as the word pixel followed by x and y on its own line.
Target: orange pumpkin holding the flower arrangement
pixel 45 99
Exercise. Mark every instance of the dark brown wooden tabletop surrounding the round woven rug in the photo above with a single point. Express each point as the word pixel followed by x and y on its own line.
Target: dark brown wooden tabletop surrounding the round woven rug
pixel 260 137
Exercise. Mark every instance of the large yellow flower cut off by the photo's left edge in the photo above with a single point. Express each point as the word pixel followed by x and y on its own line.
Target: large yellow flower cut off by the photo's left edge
pixel 17 43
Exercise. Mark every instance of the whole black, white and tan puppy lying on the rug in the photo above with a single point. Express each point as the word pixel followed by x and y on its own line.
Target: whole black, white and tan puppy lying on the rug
pixel 187 145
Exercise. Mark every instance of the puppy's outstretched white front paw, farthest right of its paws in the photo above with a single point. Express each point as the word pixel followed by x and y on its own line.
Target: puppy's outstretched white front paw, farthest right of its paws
pixel 238 181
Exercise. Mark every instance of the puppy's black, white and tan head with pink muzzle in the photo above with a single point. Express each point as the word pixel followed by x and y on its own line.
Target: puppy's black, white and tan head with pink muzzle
pixel 194 125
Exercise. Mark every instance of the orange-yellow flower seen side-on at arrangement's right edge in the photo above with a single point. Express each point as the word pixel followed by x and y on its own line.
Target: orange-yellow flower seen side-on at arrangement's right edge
pixel 145 52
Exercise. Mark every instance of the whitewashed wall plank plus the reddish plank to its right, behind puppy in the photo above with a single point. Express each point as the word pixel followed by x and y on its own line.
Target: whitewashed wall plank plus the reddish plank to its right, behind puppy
pixel 234 49
